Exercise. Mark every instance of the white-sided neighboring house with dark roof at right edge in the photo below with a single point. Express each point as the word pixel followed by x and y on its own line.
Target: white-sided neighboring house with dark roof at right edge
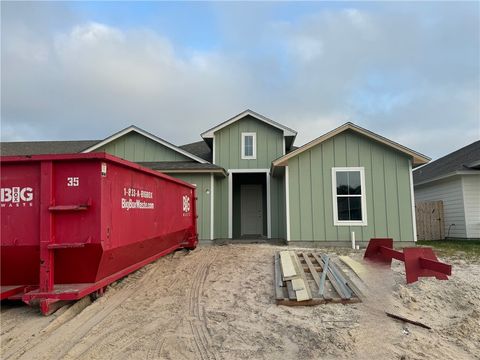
pixel 455 180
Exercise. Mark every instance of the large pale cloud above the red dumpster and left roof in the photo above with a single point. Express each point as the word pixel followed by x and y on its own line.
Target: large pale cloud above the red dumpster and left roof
pixel 95 79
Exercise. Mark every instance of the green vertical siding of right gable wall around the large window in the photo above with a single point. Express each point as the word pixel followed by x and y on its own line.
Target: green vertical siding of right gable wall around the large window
pixel 387 190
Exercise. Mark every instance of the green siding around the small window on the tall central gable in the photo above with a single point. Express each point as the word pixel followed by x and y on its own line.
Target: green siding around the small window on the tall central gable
pixel 228 144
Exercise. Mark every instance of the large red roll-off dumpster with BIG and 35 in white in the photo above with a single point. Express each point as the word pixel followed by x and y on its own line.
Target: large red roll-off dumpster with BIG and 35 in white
pixel 72 224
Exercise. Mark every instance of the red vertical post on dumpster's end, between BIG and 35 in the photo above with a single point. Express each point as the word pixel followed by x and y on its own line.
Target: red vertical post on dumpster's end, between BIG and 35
pixel 46 227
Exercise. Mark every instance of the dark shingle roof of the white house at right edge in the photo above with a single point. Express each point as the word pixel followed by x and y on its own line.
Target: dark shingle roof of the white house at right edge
pixel 466 159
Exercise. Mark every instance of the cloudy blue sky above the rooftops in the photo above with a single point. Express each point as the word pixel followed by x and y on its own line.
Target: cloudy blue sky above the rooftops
pixel 409 71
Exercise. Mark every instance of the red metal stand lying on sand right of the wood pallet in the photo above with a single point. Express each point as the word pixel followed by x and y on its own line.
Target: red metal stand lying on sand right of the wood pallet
pixel 418 261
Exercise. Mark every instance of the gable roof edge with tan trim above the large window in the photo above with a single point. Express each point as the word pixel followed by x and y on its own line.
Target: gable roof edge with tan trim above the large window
pixel 418 159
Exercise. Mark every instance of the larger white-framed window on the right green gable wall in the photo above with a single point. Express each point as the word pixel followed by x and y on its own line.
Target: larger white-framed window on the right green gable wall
pixel 349 198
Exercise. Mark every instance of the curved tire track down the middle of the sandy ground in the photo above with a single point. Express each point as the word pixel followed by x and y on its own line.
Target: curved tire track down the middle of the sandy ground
pixel 197 319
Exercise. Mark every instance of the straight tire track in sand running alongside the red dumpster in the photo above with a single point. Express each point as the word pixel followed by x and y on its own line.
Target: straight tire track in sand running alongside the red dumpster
pixel 71 333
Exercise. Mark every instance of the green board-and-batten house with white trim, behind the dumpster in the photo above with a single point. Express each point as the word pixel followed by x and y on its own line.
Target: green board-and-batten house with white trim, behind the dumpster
pixel 252 182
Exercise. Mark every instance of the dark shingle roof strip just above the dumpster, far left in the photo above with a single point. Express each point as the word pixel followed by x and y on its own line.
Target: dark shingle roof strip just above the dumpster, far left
pixel 44 147
